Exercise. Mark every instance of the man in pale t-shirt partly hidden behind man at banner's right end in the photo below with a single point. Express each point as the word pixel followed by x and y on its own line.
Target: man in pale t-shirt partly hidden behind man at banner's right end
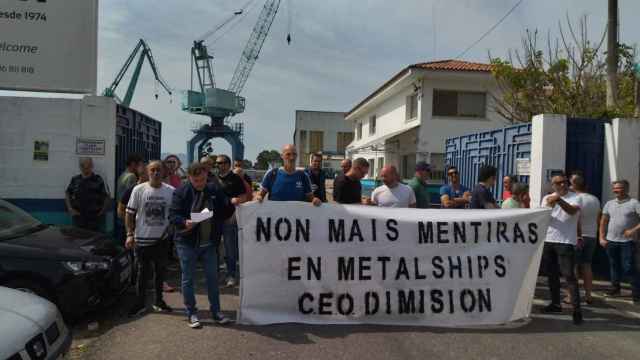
pixel 589 219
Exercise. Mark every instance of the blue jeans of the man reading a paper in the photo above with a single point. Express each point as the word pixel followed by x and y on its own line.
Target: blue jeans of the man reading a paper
pixel 189 257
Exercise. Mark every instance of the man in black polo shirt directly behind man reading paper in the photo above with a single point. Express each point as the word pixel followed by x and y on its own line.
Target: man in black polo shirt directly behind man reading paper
pixel 236 190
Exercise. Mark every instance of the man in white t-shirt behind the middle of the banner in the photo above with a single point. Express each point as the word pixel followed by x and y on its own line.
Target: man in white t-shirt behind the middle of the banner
pixel 393 193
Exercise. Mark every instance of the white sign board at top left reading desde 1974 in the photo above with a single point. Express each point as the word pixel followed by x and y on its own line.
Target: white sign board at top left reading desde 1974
pixel 49 45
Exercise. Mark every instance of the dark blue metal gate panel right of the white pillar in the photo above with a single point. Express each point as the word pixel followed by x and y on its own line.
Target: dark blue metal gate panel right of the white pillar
pixel 585 151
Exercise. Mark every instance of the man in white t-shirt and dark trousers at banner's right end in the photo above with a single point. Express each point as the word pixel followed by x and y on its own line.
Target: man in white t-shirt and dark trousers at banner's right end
pixel 558 255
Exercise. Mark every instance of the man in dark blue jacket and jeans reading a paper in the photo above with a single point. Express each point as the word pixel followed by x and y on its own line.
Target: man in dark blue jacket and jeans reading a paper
pixel 199 240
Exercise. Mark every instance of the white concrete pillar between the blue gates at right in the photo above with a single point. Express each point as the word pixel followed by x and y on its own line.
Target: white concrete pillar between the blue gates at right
pixel 548 152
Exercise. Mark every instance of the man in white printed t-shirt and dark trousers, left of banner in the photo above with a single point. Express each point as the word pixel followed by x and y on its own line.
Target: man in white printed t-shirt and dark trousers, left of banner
pixel 147 220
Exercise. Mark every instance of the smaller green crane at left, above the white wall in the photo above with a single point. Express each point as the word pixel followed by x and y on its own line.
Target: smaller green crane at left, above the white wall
pixel 145 52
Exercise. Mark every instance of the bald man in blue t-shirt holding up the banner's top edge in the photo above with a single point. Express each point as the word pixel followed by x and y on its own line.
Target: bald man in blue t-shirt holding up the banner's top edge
pixel 287 183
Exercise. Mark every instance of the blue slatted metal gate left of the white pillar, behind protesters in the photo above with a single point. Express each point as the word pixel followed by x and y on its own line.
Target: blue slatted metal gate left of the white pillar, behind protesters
pixel 499 148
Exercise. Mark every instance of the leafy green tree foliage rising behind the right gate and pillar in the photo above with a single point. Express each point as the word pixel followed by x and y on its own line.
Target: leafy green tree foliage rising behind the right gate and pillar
pixel 569 77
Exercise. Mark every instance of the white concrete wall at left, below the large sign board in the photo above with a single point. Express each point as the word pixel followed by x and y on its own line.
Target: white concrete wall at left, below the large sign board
pixel 60 122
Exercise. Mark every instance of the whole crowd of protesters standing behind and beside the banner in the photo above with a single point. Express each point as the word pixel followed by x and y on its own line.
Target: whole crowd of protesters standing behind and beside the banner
pixel 156 200
